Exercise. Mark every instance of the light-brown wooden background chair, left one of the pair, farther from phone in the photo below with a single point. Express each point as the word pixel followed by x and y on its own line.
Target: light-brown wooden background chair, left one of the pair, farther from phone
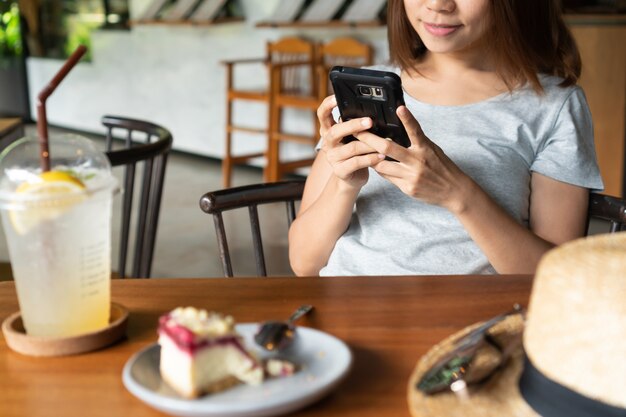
pixel 292 50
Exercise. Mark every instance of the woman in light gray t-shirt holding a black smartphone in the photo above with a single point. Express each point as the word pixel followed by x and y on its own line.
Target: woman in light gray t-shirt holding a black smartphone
pixel 501 158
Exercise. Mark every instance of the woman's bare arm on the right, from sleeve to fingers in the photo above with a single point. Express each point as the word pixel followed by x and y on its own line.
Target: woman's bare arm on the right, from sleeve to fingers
pixel 423 171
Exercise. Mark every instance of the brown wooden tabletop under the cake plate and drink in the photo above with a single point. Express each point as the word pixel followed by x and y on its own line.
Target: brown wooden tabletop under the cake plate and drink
pixel 388 322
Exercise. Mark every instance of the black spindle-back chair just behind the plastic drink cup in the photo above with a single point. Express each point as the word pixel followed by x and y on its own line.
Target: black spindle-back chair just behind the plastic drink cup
pixel 149 144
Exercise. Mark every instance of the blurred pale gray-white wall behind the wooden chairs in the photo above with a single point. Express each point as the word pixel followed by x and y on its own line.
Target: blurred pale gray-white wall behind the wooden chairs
pixel 171 75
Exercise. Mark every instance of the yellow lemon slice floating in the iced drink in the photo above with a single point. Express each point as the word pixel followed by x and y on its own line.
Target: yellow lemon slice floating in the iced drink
pixel 53 194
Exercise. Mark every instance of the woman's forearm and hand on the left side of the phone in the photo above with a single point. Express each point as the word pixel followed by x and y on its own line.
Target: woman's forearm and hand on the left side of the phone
pixel 337 175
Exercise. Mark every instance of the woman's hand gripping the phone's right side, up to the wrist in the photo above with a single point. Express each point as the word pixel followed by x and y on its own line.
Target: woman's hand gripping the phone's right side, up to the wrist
pixel 423 170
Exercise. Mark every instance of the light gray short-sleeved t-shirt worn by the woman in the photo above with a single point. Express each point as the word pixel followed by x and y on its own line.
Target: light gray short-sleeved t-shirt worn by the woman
pixel 498 142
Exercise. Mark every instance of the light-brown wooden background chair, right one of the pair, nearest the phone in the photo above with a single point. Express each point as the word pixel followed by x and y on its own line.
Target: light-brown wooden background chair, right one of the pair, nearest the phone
pixel 340 51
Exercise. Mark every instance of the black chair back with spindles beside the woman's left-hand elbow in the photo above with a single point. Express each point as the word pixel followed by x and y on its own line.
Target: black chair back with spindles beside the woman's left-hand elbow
pixel 250 196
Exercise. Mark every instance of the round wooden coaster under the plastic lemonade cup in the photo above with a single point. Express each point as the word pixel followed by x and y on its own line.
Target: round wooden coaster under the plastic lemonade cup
pixel 19 341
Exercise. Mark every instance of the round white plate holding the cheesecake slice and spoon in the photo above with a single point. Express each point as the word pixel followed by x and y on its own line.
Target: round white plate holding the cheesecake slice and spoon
pixel 323 361
